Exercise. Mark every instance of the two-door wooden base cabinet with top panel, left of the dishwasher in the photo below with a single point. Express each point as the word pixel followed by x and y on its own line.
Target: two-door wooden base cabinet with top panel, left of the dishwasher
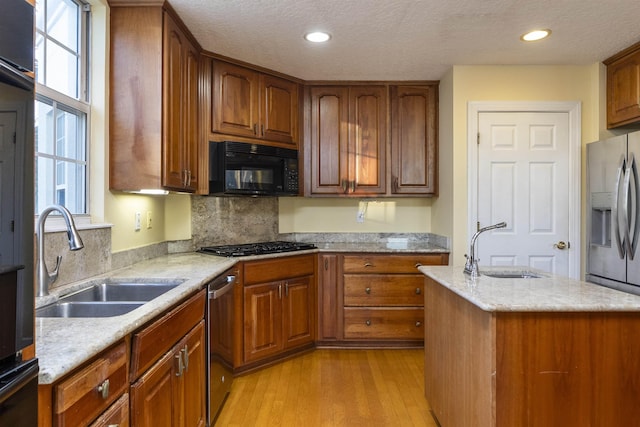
pixel 167 368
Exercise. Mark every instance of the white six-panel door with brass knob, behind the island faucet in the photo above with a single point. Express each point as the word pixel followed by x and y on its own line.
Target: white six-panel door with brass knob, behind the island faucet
pixel 523 178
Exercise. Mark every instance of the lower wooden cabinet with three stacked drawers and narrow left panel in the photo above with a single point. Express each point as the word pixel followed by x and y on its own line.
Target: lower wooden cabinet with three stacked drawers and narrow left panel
pixel 372 298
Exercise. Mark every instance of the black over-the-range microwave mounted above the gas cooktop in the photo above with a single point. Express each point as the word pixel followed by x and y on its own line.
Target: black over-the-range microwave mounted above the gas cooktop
pixel 240 168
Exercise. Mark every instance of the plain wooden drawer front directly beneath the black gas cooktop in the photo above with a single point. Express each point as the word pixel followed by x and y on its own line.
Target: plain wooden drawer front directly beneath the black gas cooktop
pixel 271 270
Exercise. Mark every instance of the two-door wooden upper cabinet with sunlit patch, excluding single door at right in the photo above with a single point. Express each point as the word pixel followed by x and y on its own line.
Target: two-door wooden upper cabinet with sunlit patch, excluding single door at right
pixel 348 140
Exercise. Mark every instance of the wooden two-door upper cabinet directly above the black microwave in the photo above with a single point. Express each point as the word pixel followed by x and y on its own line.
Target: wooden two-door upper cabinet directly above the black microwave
pixel 249 104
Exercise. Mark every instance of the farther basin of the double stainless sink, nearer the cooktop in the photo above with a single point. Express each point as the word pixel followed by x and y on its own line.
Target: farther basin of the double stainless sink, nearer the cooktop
pixel 121 291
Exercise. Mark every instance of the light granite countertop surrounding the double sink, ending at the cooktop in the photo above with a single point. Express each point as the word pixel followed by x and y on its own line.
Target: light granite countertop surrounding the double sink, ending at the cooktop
pixel 63 344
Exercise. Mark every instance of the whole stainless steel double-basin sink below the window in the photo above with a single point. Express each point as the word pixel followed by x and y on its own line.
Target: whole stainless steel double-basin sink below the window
pixel 107 298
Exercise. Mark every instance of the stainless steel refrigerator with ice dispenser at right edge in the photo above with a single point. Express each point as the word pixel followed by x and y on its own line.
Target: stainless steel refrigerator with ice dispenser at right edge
pixel 613 212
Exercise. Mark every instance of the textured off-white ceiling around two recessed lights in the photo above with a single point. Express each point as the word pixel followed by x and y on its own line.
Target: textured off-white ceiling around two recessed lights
pixel 408 39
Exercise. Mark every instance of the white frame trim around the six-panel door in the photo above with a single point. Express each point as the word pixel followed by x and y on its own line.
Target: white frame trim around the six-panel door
pixel 474 108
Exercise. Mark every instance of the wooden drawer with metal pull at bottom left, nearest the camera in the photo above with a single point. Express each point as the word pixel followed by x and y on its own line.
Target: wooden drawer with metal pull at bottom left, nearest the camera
pixel 86 394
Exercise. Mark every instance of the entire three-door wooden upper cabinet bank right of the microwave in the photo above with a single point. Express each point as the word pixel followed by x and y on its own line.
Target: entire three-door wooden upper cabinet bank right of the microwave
pixel 348 140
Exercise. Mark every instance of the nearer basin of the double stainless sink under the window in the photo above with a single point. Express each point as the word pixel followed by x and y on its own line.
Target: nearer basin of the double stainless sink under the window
pixel 87 309
